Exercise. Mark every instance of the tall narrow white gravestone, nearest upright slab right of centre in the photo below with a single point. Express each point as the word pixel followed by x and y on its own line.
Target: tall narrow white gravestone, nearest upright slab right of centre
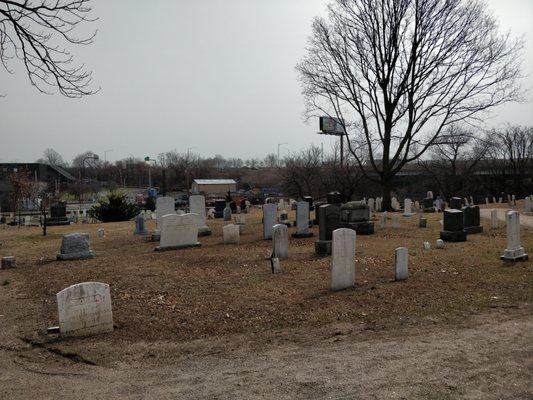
pixel 343 259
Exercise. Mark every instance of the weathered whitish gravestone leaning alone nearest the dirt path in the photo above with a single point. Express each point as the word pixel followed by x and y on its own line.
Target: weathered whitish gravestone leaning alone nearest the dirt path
pixel 85 309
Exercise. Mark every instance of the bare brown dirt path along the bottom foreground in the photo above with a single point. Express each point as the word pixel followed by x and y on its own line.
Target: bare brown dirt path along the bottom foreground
pixel 489 357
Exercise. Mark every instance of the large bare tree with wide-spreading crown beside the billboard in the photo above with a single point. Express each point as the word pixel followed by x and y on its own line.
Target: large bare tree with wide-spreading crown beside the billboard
pixel 396 72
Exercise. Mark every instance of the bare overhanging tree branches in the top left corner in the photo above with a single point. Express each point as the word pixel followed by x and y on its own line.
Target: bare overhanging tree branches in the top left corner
pixel 32 31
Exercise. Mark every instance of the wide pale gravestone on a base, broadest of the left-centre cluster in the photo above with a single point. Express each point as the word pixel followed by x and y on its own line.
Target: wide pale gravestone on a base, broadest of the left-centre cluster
pixel 178 232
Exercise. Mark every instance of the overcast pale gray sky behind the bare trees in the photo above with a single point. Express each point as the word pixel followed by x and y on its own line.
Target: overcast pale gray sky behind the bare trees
pixel 213 75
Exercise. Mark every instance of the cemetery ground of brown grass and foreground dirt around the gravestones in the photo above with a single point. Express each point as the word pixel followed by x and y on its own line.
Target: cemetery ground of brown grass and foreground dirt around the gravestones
pixel 214 322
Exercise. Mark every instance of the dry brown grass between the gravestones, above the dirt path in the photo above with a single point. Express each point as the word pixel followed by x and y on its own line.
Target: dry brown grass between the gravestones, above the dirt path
pixel 219 289
